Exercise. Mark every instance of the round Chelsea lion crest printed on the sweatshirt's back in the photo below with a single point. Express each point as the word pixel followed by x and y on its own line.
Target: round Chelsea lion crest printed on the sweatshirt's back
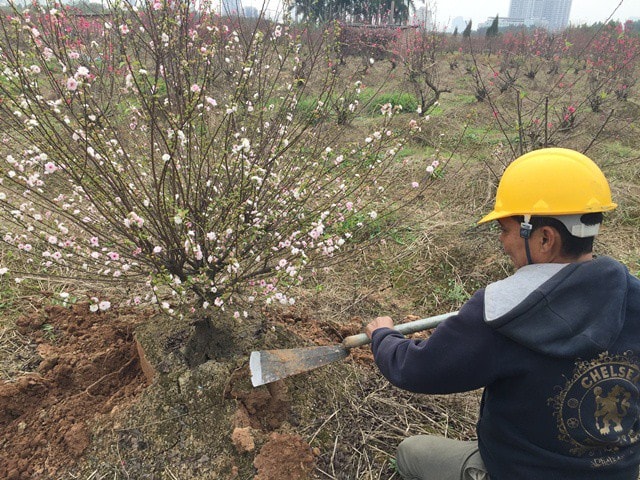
pixel 596 409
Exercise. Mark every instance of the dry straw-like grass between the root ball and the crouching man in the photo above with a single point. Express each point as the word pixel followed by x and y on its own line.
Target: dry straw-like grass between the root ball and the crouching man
pixel 366 418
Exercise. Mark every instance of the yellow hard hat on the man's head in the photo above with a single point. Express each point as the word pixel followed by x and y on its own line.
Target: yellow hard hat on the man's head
pixel 551 182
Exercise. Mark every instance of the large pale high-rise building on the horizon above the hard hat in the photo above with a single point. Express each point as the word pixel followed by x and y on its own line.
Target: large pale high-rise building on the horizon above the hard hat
pixel 551 14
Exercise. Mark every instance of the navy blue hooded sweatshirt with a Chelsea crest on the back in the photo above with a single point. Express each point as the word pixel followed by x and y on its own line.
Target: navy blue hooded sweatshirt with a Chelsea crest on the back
pixel 556 348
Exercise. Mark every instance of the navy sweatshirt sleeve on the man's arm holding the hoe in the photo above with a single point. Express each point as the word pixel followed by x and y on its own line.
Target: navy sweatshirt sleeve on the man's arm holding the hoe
pixel 461 354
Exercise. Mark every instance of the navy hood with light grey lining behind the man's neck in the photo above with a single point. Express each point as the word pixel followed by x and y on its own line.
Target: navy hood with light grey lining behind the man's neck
pixel 562 310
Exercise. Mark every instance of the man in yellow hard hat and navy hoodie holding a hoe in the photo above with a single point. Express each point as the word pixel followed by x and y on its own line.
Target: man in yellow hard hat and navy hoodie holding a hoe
pixel 555 346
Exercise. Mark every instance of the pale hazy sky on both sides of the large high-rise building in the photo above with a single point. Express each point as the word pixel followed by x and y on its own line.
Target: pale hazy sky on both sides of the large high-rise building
pixel 582 11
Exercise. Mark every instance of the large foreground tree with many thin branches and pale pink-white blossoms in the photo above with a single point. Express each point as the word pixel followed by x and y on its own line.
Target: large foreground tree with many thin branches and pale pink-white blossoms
pixel 164 146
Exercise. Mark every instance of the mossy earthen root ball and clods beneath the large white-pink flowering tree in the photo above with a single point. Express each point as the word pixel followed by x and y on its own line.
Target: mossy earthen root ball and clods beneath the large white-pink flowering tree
pixel 201 421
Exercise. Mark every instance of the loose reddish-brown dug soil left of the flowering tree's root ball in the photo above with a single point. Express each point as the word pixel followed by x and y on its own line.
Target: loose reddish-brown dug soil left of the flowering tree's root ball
pixel 88 365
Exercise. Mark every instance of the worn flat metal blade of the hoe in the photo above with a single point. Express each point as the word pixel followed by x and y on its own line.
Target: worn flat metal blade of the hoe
pixel 287 362
